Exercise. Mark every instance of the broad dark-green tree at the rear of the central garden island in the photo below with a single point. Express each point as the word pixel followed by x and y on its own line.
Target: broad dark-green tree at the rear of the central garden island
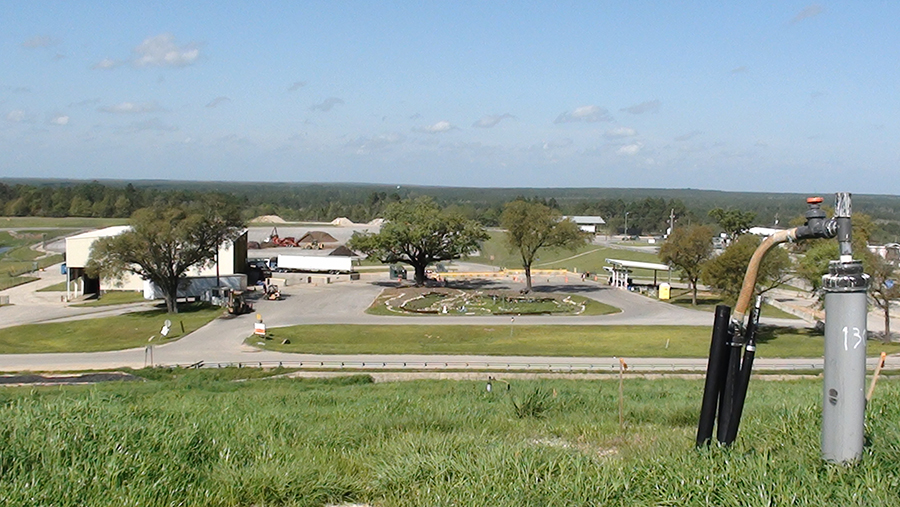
pixel 419 233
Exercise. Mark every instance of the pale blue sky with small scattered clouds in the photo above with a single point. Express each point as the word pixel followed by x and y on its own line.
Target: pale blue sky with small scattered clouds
pixel 768 96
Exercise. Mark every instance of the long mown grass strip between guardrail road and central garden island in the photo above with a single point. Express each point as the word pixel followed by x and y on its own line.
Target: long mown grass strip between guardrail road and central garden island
pixel 526 340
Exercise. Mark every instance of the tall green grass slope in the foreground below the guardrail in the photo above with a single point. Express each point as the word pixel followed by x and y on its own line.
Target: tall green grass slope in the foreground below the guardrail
pixel 196 441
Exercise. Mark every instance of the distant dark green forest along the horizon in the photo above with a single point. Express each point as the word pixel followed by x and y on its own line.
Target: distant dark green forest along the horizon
pixel 648 210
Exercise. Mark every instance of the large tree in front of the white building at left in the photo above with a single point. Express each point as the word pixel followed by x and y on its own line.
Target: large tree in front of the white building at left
pixel 164 243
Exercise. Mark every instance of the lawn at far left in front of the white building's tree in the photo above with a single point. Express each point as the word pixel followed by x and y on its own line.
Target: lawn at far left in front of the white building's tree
pixel 105 333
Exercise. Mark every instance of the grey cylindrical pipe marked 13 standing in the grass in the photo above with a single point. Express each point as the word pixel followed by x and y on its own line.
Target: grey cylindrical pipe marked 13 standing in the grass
pixel 844 408
